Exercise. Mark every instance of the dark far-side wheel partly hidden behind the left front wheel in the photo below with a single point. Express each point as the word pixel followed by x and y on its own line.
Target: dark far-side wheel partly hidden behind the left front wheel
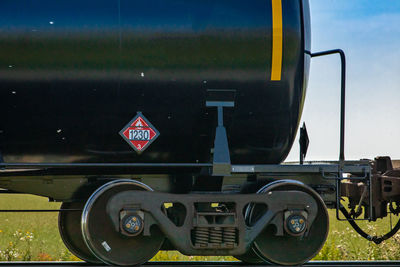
pixel 69 226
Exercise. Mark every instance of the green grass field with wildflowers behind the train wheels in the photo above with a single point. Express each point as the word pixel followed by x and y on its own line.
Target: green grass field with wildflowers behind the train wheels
pixel 34 236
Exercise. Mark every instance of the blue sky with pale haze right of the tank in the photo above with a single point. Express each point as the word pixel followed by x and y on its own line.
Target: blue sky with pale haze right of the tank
pixel 369 32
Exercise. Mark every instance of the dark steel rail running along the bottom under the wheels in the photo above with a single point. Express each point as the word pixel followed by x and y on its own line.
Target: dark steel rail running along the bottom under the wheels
pixel 213 264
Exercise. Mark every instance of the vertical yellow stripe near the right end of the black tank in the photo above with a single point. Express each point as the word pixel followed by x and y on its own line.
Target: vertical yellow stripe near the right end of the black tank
pixel 277 40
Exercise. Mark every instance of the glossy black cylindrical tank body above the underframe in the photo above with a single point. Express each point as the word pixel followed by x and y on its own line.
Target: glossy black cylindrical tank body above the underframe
pixel 73 73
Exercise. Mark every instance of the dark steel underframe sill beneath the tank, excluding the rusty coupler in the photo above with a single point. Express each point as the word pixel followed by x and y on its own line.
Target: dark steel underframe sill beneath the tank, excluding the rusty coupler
pixel 70 182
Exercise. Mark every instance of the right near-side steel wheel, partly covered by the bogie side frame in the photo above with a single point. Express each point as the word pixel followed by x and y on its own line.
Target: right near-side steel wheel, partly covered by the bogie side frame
pixel 287 249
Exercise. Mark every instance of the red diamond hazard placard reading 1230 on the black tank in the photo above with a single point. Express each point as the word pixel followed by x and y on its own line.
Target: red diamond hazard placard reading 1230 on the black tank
pixel 139 133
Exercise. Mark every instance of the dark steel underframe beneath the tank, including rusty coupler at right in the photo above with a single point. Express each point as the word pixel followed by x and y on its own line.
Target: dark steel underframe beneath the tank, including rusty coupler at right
pixel 332 180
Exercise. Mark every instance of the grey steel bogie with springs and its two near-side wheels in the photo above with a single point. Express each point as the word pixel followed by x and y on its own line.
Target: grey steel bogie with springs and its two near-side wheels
pixel 134 222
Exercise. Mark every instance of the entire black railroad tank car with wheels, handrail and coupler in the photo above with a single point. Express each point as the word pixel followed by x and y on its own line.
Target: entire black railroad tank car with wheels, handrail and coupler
pixel 163 125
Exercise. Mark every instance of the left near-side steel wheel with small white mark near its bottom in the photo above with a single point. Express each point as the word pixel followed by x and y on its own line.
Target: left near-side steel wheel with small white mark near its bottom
pixel 108 245
